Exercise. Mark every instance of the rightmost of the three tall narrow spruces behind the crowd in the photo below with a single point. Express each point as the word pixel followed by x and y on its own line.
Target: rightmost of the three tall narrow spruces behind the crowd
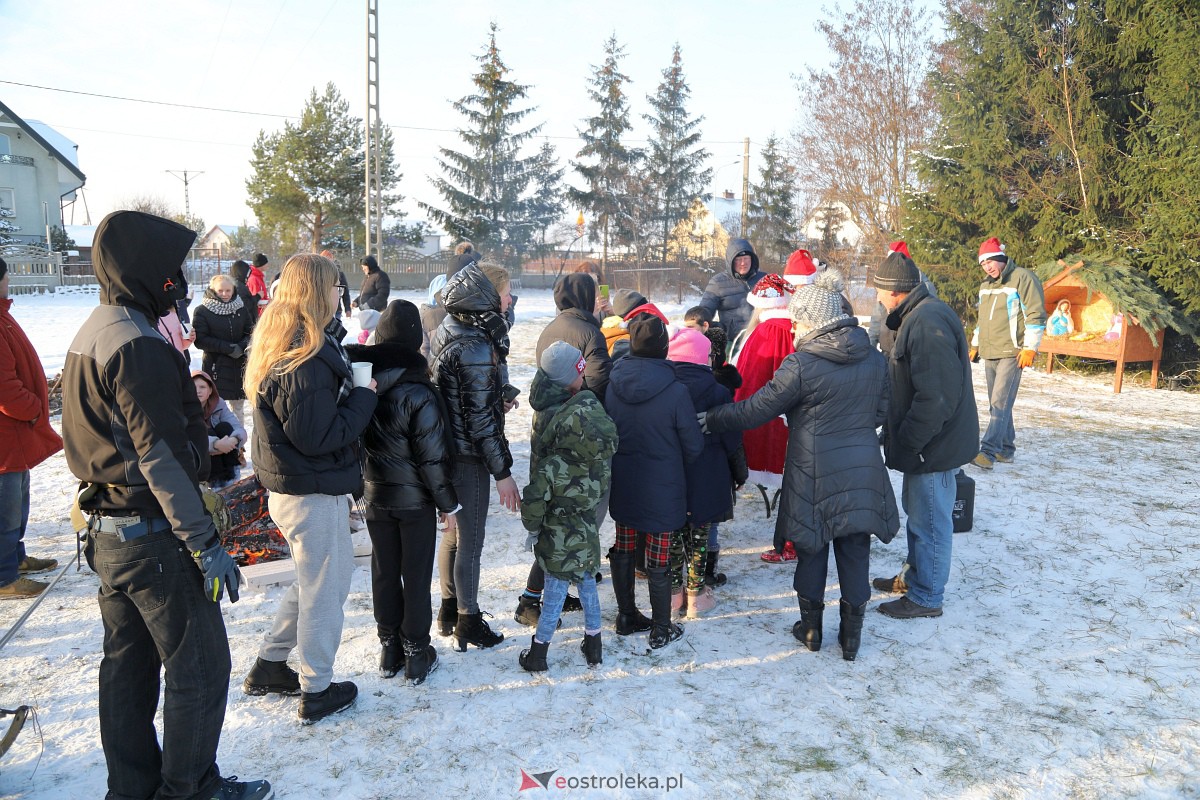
pixel 675 161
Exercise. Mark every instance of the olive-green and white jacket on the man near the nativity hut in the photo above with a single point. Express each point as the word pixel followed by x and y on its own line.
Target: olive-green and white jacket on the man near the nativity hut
pixel 1012 314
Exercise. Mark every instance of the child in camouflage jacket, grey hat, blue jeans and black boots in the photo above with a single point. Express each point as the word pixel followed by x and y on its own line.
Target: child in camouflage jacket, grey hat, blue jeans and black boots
pixel 568 476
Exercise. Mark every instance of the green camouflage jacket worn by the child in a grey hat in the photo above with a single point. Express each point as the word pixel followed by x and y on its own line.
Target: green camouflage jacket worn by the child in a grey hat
pixel 568 476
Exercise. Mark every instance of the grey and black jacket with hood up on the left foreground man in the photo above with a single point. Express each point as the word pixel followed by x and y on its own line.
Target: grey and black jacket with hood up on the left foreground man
pixel 131 420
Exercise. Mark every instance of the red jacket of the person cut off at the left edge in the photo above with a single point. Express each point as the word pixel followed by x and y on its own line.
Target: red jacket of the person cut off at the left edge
pixel 25 401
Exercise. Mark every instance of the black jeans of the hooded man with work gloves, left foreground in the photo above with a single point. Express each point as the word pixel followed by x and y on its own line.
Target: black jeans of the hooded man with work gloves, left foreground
pixel 152 603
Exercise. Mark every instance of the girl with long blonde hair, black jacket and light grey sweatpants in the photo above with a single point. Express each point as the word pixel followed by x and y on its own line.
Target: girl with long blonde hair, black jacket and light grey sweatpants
pixel 308 419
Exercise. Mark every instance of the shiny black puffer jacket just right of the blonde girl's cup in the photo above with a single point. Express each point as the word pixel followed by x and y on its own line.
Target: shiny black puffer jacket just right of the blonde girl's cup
pixel 410 458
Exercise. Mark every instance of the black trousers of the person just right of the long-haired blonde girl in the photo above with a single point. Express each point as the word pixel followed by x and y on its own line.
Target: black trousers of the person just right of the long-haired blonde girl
pixel 403 549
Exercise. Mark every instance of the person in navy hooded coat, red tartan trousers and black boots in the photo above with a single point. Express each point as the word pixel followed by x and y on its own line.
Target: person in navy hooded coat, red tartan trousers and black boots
pixel 659 436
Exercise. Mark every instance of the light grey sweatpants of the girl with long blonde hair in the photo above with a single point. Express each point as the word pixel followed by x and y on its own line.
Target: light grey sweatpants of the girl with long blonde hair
pixel 310 617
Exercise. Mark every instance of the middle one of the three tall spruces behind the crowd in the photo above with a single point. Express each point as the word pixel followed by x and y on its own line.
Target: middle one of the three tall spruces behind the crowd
pixel 605 164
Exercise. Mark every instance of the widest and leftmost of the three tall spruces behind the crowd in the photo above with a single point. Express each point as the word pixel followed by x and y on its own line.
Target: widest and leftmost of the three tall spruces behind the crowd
pixel 484 187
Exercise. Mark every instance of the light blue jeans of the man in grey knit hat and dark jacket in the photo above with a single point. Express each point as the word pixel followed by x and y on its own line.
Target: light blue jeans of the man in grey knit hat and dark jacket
pixel 928 500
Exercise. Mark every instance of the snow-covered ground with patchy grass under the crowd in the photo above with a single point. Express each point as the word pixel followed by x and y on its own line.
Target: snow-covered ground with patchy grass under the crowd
pixel 1065 665
